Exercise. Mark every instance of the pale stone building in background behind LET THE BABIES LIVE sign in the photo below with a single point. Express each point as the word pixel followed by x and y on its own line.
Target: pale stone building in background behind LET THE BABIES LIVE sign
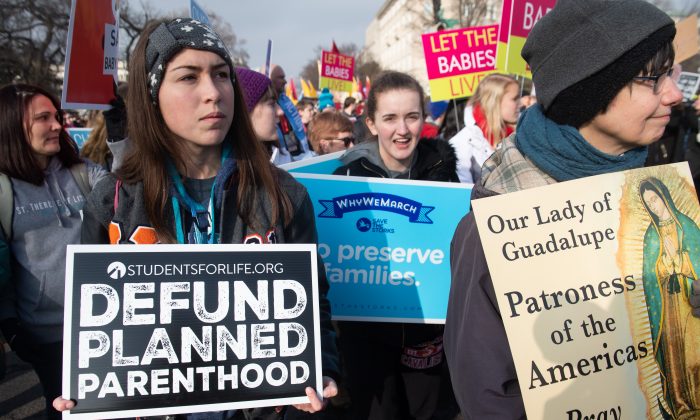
pixel 393 38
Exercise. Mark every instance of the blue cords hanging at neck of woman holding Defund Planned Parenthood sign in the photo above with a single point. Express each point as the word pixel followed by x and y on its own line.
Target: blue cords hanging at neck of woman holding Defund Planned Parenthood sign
pixel 203 218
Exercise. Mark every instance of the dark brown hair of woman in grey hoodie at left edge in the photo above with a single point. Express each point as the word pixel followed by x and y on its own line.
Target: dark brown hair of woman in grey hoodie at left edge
pixel 16 157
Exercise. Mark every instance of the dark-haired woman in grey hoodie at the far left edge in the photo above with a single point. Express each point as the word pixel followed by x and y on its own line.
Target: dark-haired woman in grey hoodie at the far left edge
pixel 40 210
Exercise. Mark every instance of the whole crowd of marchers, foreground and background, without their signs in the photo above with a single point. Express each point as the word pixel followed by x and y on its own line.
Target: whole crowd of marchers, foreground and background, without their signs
pixel 189 154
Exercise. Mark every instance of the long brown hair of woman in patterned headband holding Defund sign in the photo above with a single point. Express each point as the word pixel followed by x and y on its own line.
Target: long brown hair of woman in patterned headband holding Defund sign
pixel 152 142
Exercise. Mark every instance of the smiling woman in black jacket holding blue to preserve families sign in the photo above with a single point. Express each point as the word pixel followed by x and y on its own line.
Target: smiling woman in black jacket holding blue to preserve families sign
pixel 394 370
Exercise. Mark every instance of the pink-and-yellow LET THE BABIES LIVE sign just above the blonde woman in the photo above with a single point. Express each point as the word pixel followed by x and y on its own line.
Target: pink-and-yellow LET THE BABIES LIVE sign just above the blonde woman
pixel 458 59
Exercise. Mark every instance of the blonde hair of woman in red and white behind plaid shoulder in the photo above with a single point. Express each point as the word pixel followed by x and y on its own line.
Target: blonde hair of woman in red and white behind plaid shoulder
pixel 488 96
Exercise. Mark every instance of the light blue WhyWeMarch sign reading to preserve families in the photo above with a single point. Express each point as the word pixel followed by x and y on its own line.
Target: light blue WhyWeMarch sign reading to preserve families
pixel 386 244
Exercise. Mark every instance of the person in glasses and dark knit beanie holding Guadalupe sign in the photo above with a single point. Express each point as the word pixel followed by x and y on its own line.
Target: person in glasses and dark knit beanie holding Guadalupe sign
pixel 604 76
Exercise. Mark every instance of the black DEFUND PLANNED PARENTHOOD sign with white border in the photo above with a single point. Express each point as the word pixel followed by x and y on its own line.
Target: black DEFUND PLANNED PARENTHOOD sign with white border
pixel 169 329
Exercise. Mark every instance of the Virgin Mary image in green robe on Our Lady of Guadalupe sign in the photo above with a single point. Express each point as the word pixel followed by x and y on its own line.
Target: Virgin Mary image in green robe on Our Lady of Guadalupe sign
pixel 671 258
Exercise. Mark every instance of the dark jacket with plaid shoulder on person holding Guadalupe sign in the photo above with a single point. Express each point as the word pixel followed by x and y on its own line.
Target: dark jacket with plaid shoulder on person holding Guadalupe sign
pixel 476 345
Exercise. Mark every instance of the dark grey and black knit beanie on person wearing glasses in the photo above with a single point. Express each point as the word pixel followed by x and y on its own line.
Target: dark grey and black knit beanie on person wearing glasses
pixel 584 52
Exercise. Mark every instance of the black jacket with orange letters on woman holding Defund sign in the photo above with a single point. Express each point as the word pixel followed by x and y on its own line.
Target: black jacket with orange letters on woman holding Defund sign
pixel 129 225
